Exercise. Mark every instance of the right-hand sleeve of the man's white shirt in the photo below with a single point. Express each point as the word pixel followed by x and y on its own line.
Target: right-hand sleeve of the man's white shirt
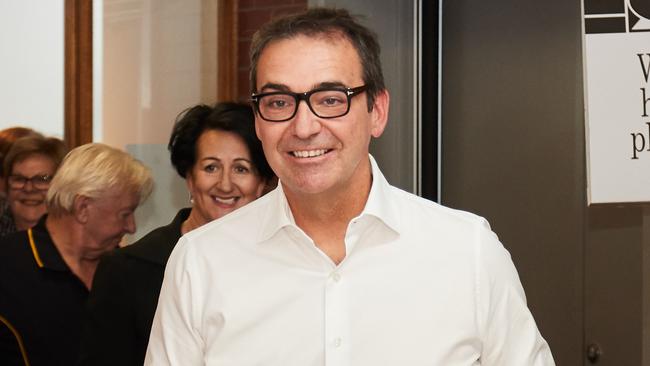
pixel 510 335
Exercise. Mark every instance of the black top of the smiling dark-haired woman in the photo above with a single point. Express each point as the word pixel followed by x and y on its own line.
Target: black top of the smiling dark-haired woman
pixel 124 296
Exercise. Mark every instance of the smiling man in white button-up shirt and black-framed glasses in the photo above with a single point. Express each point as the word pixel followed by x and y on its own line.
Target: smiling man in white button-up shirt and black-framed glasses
pixel 335 266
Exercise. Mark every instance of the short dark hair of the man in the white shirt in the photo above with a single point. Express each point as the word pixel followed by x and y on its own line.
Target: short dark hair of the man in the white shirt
pixel 328 23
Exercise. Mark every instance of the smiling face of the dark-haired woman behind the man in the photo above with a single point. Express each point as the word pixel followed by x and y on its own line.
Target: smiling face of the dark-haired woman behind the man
pixel 223 177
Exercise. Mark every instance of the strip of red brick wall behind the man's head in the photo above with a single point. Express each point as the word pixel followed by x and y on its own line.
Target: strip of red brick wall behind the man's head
pixel 251 15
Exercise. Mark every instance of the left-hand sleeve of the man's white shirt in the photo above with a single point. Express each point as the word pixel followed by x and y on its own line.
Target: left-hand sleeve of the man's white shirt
pixel 175 335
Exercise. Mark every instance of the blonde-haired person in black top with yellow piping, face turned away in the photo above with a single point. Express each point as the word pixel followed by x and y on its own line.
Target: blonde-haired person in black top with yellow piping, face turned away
pixel 91 204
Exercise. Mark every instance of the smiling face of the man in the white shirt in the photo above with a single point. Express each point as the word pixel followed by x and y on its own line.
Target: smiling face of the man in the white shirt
pixel 313 155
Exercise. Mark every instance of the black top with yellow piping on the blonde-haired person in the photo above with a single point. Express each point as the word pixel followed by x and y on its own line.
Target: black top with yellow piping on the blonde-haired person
pixel 41 302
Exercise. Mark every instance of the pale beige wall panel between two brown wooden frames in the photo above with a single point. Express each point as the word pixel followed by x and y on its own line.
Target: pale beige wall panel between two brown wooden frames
pixel 153 60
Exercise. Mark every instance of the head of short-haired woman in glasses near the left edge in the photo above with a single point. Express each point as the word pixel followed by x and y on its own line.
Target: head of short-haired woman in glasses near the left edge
pixel 29 166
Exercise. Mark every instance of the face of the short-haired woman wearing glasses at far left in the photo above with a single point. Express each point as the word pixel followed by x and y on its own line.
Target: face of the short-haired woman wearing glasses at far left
pixel 27 204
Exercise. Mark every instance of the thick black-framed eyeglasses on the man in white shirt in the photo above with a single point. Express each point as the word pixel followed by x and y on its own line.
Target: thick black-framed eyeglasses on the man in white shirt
pixel 282 106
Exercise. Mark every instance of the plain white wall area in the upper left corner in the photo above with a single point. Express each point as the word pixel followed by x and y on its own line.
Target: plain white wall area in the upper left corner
pixel 31 65
